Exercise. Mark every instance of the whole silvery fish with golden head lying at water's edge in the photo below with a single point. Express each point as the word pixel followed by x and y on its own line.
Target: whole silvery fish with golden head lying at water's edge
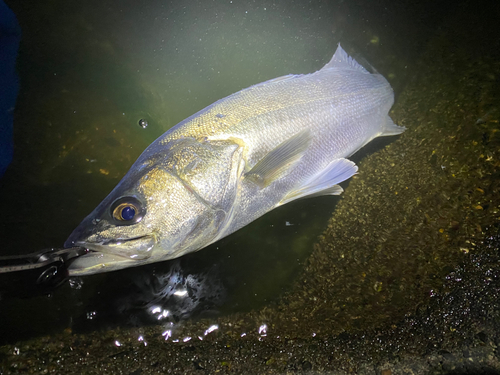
pixel 235 160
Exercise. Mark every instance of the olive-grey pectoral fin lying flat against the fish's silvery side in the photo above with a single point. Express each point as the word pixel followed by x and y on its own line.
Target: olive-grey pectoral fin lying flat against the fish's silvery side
pixel 276 162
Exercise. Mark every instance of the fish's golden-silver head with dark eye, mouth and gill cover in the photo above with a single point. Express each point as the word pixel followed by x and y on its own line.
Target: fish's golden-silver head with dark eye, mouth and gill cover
pixel 168 204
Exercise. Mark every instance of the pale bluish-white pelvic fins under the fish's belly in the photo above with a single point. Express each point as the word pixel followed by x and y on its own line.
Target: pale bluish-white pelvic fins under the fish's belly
pixel 325 182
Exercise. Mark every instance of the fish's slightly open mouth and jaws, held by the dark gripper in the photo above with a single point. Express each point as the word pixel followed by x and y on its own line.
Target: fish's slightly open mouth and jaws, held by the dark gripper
pixel 110 255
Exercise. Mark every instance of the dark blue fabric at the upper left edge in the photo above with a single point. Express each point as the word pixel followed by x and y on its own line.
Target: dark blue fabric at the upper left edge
pixel 10 35
